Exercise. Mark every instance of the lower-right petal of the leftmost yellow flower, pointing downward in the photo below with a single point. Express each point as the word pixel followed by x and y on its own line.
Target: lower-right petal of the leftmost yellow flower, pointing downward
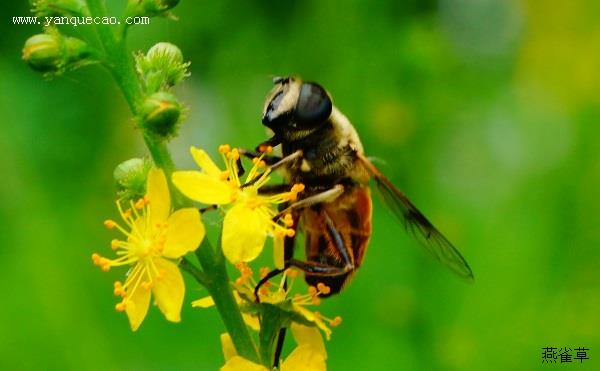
pixel 169 289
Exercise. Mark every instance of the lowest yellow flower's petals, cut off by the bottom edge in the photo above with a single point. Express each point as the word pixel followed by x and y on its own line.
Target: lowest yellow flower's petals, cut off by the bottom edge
pixel 309 355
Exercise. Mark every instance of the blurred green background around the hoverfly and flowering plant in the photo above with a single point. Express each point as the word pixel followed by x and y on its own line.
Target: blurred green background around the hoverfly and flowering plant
pixel 486 114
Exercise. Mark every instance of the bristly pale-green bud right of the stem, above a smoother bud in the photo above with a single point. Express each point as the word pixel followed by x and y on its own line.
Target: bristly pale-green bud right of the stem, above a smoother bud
pixel 162 67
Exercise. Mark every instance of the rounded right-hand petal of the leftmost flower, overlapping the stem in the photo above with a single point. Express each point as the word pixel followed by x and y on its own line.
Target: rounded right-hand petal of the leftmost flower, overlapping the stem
pixel 185 231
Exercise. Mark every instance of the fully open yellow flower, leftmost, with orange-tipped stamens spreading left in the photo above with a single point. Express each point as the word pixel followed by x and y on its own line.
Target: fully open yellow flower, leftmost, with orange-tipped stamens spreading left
pixel 154 237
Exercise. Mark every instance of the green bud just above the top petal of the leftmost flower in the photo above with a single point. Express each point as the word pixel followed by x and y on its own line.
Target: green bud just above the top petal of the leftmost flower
pixel 130 177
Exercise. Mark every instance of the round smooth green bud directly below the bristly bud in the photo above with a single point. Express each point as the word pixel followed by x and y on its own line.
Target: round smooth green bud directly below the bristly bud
pixel 160 114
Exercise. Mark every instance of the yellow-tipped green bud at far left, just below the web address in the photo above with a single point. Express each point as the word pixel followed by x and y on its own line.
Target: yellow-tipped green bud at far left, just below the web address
pixel 54 53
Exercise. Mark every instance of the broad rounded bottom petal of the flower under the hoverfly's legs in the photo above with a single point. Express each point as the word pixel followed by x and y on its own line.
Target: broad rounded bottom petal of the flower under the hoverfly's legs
pixel 244 234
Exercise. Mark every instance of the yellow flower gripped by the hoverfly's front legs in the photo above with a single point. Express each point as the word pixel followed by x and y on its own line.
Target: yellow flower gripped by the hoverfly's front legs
pixel 249 217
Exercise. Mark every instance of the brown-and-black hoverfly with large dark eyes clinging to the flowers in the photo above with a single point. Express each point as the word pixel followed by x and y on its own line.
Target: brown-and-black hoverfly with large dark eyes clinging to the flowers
pixel 321 149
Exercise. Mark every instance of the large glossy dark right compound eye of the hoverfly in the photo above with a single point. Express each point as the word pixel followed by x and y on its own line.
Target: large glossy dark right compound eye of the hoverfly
pixel 314 105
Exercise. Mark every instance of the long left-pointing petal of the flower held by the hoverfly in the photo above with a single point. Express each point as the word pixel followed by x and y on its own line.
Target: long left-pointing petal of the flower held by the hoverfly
pixel 203 188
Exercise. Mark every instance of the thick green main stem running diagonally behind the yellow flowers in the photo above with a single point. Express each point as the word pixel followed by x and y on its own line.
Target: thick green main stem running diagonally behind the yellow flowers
pixel 120 63
